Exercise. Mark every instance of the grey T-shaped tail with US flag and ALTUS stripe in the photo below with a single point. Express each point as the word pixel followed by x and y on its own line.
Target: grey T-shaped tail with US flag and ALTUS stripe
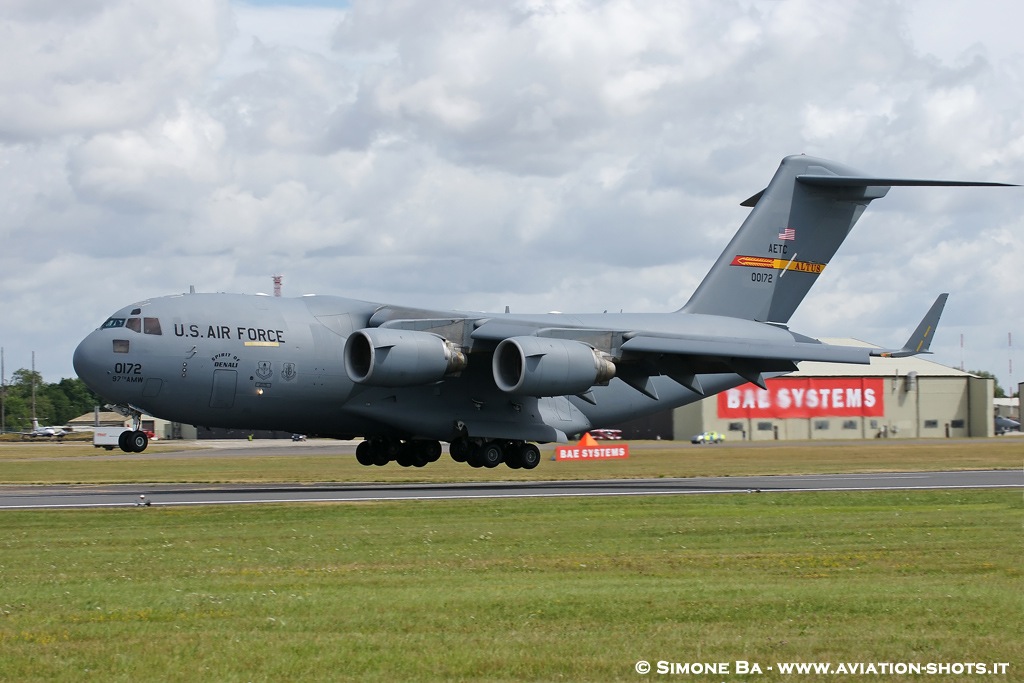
pixel 796 228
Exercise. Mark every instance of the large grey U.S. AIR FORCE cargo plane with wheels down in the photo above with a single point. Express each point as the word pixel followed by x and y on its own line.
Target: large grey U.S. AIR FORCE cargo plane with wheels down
pixel 492 386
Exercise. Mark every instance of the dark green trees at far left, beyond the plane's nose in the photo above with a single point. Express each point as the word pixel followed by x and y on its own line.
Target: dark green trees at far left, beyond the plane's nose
pixel 56 403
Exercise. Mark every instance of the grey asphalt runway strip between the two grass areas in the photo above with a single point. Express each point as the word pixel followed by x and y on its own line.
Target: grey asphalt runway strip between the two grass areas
pixel 109 496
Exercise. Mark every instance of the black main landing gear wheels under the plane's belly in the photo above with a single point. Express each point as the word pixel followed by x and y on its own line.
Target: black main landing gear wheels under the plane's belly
pixel 477 453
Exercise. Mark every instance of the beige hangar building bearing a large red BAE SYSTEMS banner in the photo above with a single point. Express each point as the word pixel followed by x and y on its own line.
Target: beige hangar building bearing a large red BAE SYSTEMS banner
pixel 890 399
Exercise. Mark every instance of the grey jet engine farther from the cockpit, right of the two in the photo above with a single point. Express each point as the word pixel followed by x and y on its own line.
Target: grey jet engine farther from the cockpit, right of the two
pixel 544 367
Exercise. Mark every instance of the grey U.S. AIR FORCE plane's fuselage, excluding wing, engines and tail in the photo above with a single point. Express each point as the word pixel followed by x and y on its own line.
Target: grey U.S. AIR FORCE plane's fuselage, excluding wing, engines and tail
pixel 266 363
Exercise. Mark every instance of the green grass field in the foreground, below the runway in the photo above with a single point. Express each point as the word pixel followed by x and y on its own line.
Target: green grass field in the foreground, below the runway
pixel 563 589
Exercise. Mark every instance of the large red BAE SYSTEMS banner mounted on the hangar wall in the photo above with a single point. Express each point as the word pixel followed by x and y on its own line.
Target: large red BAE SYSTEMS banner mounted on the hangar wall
pixel 806 398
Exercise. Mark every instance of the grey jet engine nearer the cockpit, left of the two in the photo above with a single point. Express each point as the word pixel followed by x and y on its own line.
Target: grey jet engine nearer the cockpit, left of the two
pixel 391 358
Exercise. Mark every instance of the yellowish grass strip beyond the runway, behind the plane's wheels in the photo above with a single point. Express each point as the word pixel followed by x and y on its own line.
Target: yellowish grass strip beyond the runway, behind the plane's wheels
pixel 71 463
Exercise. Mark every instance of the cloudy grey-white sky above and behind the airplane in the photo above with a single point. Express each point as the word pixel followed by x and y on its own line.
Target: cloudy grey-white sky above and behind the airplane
pixel 542 155
